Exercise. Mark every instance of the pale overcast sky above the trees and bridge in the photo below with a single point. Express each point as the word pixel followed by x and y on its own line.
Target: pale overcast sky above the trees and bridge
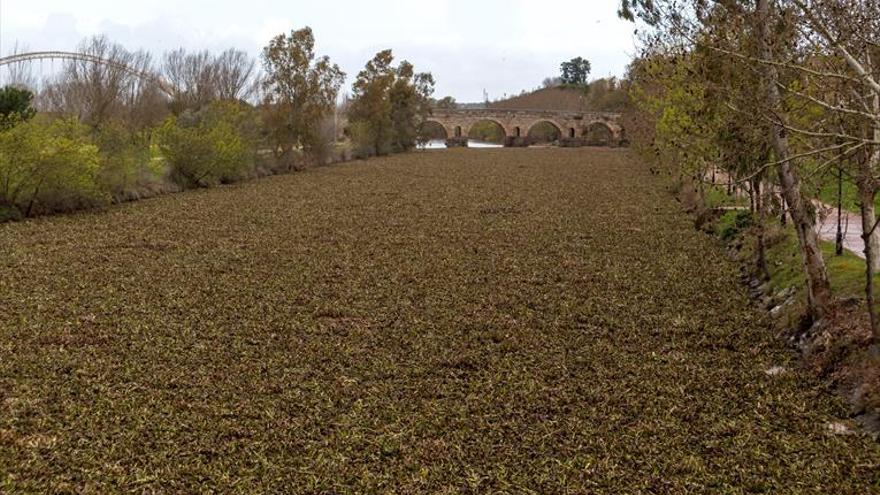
pixel 470 45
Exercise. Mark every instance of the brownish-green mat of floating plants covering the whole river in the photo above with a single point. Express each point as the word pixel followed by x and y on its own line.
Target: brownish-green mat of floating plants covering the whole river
pixel 505 321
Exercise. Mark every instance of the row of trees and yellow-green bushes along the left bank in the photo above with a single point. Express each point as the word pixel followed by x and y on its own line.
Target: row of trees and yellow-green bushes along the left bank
pixel 135 127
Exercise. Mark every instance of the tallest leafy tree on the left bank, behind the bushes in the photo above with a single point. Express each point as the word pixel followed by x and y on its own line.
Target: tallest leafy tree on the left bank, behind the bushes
pixel 301 91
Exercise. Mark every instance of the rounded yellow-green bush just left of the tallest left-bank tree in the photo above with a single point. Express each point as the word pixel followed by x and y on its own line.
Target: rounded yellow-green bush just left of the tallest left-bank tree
pixel 209 148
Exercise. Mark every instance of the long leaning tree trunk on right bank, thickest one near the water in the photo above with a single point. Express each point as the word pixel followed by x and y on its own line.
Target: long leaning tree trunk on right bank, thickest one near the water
pixel 818 288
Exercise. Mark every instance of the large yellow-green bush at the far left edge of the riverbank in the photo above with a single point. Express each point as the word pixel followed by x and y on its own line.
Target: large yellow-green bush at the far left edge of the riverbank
pixel 47 167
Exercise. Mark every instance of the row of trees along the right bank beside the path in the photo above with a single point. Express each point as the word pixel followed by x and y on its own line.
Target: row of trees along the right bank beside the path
pixel 775 95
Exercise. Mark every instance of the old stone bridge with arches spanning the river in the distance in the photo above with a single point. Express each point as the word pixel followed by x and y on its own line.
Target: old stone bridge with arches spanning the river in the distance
pixel 575 128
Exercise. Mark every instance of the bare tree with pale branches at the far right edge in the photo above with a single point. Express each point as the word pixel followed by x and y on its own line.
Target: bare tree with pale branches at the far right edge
pixel 844 76
